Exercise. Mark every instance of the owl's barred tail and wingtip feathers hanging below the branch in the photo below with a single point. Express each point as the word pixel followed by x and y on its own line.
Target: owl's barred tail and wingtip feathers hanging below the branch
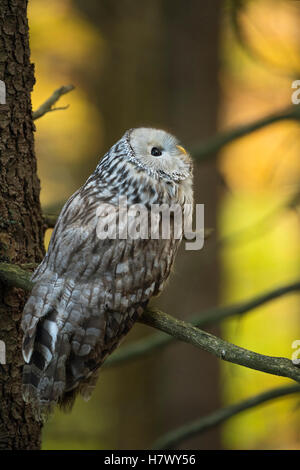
pixel 62 346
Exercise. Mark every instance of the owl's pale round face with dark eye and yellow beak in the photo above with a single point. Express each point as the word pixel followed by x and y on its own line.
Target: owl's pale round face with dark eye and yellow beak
pixel 159 152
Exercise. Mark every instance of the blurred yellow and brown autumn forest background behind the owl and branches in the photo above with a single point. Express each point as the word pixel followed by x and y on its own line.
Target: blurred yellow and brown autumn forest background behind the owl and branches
pixel 193 68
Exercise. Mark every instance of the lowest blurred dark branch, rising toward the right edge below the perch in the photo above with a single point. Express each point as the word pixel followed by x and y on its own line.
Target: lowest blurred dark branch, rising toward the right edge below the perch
pixel 173 438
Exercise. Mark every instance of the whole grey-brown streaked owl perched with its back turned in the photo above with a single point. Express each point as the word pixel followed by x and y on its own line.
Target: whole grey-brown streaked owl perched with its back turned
pixel 89 291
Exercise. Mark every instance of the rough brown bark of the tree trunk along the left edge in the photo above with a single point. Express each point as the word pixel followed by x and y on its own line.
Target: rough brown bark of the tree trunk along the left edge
pixel 21 223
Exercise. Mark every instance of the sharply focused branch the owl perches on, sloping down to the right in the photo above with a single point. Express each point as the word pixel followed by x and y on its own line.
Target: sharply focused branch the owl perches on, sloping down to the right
pixel 186 332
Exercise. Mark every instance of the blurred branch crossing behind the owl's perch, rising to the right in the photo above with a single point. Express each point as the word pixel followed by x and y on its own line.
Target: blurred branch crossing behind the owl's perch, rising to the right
pixel 158 341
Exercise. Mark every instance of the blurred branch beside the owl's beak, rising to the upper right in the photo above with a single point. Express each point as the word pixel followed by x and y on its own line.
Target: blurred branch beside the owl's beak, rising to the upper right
pixel 212 145
